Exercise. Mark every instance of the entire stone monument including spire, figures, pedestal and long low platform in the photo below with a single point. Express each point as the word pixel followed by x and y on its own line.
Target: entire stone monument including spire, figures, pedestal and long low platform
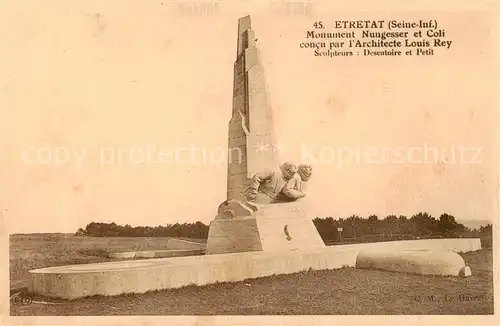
pixel 262 228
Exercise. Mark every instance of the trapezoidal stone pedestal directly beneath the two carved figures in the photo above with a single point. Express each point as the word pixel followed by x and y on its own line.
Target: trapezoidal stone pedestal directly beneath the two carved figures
pixel 273 227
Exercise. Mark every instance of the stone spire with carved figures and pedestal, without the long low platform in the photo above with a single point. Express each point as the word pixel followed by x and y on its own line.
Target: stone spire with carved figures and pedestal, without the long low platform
pixel 263 210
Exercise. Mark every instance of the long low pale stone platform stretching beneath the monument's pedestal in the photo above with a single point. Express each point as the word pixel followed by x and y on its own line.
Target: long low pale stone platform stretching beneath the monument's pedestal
pixel 139 276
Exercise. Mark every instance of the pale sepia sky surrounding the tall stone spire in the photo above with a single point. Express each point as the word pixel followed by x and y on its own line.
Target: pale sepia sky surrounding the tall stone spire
pixel 87 90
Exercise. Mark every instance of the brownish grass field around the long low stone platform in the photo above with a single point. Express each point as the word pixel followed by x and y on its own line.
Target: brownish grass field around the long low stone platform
pixel 342 291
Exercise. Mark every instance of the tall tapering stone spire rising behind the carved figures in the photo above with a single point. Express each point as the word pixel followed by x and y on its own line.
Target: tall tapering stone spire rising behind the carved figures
pixel 251 134
